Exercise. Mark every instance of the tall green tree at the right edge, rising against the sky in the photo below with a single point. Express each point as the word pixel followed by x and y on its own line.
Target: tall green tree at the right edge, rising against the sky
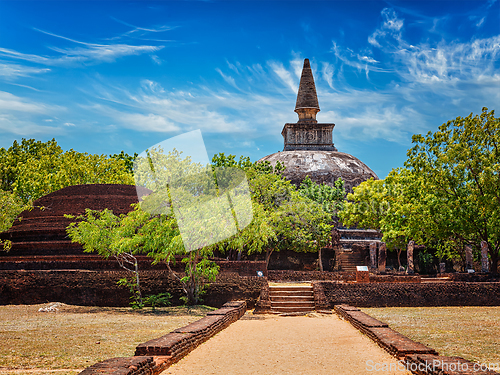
pixel 460 165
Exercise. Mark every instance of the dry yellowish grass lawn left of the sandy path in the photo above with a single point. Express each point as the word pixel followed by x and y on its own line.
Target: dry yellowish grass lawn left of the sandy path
pixel 75 337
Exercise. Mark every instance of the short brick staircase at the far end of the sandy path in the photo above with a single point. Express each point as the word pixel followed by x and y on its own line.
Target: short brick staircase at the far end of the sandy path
pixel 291 298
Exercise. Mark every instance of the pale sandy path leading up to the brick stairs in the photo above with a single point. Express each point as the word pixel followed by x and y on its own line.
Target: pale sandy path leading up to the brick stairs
pixel 315 344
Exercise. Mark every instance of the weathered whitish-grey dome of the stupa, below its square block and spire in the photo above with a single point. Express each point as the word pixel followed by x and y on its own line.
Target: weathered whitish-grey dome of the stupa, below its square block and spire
pixel 322 166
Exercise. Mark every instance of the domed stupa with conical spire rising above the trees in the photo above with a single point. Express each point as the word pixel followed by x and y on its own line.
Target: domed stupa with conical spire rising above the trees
pixel 309 149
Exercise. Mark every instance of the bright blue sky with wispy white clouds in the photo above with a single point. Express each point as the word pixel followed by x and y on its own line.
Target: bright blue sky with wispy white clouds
pixel 102 77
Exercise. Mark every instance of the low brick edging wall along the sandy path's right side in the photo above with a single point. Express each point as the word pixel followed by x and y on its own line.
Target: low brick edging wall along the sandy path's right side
pixel 416 357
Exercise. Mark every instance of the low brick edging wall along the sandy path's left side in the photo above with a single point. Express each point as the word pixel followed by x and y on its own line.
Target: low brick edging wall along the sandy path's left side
pixel 154 356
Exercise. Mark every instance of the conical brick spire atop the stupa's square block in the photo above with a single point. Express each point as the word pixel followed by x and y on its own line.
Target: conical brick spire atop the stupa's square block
pixel 307 100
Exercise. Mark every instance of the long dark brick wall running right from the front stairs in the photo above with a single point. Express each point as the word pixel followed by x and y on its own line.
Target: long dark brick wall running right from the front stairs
pixel 411 294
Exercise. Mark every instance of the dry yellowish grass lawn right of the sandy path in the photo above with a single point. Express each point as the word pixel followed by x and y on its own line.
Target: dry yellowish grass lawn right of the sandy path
pixel 472 333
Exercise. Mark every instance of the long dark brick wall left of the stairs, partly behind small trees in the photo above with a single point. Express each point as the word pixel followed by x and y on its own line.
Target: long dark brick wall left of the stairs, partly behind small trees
pixel 99 288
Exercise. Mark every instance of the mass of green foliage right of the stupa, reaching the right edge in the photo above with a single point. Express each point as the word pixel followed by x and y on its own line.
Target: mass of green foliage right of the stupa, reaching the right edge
pixel 447 196
